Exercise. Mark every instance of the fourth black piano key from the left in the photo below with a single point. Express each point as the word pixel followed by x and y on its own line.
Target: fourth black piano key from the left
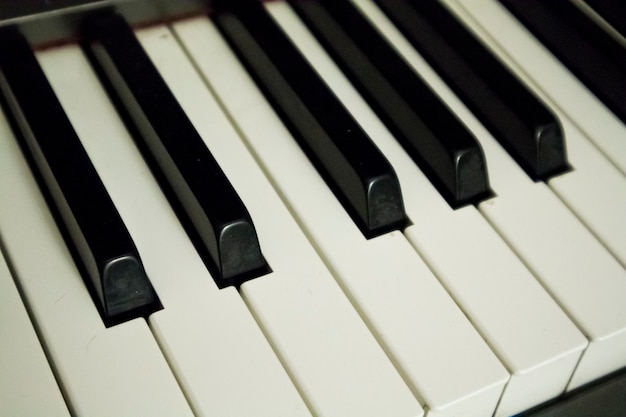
pixel 444 149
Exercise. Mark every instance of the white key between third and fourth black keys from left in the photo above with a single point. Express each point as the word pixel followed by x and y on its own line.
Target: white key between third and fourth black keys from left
pixel 527 330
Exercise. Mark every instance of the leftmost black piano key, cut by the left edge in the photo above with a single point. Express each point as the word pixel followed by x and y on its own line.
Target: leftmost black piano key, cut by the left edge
pixel 89 217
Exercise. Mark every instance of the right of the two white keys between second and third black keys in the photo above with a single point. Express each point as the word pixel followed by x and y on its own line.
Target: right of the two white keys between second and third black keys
pixel 412 316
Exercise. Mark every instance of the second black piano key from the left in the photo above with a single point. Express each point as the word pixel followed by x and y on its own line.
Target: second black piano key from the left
pixel 164 130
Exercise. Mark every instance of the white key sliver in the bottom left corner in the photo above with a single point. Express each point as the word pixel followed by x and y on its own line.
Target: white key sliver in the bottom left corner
pixel 27 385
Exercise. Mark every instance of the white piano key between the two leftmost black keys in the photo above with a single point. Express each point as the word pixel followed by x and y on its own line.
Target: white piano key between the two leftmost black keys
pixel 215 348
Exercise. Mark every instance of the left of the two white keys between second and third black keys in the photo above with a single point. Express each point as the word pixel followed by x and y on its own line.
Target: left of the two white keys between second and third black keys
pixel 326 348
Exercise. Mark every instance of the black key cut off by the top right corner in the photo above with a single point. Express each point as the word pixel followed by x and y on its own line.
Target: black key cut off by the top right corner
pixel 554 23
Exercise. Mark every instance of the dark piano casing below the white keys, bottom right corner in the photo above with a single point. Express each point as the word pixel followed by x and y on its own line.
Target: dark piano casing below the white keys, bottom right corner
pixel 603 398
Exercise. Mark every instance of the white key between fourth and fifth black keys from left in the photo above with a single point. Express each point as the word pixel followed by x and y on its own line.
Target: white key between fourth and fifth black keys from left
pixel 571 264
